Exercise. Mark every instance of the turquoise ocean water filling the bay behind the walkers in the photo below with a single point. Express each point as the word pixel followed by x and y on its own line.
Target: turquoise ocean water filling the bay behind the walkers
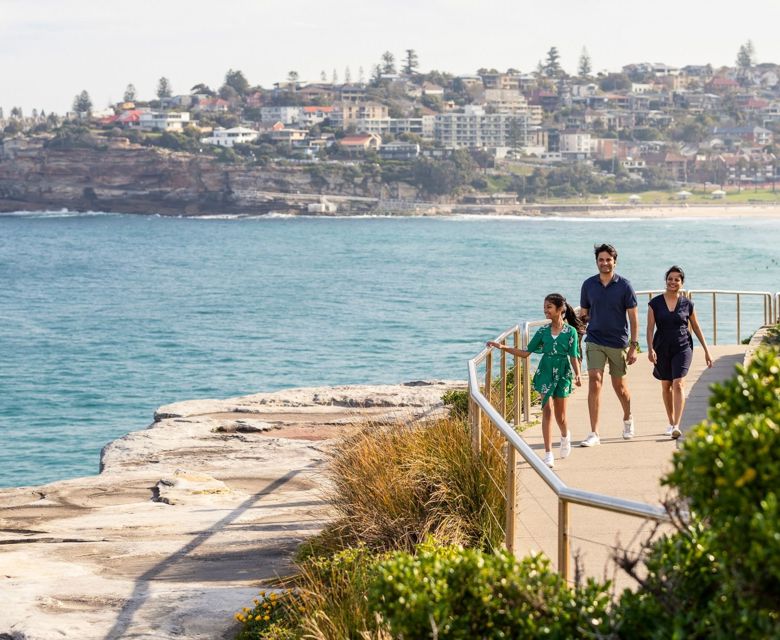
pixel 105 317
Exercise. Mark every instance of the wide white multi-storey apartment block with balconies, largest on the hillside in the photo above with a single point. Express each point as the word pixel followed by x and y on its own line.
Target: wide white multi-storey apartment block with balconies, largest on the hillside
pixel 473 128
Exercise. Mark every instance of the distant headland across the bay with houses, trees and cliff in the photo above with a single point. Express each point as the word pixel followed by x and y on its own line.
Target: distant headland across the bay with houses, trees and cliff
pixel 409 136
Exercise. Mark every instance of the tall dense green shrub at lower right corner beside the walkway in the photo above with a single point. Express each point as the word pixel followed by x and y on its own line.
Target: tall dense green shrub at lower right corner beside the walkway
pixel 719 575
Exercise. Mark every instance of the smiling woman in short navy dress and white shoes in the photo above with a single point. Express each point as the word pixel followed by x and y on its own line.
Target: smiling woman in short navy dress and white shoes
pixel 670 318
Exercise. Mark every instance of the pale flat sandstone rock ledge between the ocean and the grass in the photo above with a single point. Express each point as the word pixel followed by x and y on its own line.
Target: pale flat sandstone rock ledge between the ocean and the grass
pixel 186 518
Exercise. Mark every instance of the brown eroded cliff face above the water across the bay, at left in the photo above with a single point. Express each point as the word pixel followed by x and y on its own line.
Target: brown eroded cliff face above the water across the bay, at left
pixel 132 179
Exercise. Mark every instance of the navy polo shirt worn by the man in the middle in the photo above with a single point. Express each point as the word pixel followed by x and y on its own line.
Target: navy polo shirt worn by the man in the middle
pixel 608 324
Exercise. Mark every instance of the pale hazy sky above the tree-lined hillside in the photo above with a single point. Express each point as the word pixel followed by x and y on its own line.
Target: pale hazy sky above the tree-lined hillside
pixel 51 50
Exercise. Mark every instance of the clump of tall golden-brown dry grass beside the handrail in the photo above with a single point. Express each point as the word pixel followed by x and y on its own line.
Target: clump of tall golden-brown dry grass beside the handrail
pixel 393 486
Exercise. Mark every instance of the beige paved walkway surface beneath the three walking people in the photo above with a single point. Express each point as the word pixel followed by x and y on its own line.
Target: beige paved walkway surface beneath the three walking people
pixel 629 469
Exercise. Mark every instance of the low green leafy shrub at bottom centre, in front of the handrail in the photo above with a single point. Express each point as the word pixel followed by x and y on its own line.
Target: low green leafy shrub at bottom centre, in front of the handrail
pixel 452 592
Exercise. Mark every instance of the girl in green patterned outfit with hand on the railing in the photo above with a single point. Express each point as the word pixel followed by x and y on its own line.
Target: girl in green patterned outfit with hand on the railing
pixel 559 368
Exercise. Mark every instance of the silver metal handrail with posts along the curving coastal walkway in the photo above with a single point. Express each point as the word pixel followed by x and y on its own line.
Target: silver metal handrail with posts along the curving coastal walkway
pixel 480 404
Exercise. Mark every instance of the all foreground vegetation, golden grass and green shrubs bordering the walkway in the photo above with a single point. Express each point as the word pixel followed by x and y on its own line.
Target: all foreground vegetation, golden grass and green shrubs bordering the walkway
pixel 412 552
